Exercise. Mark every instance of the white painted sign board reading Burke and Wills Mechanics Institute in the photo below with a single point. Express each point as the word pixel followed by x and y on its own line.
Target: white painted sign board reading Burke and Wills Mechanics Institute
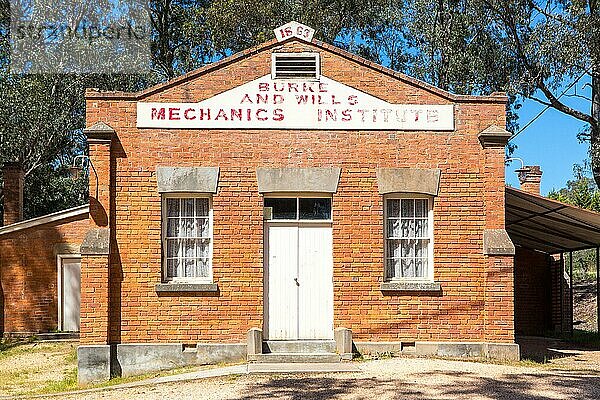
pixel 266 103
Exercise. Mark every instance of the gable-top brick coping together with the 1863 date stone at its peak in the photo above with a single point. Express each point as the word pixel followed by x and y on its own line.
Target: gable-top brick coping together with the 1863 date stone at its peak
pixel 290 31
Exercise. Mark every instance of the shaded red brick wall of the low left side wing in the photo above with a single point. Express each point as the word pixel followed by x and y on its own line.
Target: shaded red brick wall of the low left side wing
pixel 28 274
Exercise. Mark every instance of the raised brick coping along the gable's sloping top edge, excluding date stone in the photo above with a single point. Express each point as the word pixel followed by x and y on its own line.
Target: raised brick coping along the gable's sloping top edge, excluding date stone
pixel 497 97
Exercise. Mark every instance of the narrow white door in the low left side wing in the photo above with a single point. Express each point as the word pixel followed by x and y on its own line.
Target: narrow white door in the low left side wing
pixel 70 294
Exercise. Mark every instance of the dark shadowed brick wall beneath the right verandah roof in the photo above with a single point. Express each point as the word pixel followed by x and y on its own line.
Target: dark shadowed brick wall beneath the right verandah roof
pixel 533 302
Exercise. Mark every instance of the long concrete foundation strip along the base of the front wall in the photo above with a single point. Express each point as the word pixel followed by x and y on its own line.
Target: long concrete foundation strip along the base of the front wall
pixel 96 363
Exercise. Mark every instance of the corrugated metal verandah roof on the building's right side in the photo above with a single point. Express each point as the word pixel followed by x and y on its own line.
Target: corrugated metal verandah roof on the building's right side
pixel 550 226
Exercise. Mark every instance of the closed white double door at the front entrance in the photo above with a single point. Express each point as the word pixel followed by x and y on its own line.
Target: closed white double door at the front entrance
pixel 298 281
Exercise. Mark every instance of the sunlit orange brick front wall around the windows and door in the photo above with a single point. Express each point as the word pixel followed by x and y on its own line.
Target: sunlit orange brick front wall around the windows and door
pixel 462 210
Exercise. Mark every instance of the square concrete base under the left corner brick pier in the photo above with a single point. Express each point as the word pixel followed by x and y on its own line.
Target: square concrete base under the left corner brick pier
pixel 93 363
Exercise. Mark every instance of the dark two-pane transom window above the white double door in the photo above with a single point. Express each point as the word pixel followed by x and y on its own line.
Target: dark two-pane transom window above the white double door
pixel 298 208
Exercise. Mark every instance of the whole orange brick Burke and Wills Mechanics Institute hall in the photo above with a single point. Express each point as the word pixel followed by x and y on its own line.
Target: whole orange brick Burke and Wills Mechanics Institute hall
pixel 293 192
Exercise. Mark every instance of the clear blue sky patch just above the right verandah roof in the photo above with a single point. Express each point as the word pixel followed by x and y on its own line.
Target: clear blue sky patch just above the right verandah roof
pixel 550 142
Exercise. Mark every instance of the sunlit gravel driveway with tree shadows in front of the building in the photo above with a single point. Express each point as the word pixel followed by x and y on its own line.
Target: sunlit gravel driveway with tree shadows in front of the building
pixel 399 378
